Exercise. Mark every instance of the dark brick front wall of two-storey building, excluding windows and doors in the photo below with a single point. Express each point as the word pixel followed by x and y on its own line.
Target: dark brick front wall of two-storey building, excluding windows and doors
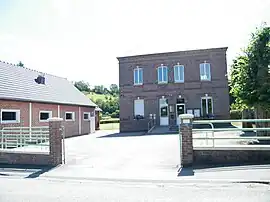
pixel 192 89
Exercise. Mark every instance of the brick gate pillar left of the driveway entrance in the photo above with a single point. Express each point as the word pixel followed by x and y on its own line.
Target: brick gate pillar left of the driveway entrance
pixel 55 130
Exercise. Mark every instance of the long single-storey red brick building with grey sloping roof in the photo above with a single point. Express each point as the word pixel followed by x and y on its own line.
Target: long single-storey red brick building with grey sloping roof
pixel 28 98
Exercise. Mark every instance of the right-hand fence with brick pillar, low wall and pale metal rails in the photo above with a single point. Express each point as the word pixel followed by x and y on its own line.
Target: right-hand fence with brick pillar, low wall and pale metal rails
pixel 223 145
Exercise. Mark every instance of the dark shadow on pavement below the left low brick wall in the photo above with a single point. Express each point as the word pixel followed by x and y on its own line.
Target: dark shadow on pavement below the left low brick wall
pixel 37 170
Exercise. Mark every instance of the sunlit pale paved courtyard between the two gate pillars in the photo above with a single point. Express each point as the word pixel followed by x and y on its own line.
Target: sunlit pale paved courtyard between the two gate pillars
pixel 103 154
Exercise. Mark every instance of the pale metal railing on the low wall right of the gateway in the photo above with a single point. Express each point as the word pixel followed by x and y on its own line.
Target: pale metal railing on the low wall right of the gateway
pixel 233 136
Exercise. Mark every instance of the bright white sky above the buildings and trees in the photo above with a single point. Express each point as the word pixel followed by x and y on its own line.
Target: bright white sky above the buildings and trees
pixel 80 39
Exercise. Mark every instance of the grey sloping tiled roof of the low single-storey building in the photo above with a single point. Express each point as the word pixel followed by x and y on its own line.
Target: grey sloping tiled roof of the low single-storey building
pixel 18 83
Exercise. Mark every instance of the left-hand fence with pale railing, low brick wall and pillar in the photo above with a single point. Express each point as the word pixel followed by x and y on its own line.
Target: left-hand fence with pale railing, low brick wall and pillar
pixel 33 146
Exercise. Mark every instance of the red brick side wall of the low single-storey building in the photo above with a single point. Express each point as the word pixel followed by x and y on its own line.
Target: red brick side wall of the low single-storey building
pixel 71 127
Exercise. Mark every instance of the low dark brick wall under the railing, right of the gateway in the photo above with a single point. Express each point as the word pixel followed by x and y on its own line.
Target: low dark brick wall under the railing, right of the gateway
pixel 230 156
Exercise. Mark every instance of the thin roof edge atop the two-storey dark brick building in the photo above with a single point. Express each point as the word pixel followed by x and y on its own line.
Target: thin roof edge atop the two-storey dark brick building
pixel 195 51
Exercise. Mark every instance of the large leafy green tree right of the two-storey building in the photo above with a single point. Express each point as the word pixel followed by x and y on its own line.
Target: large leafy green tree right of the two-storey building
pixel 250 76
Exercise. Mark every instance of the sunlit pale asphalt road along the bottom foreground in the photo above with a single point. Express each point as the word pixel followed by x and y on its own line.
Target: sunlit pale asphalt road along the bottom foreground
pixel 33 190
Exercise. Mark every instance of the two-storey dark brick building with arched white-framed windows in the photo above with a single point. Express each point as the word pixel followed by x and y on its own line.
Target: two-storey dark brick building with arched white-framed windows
pixel 166 85
